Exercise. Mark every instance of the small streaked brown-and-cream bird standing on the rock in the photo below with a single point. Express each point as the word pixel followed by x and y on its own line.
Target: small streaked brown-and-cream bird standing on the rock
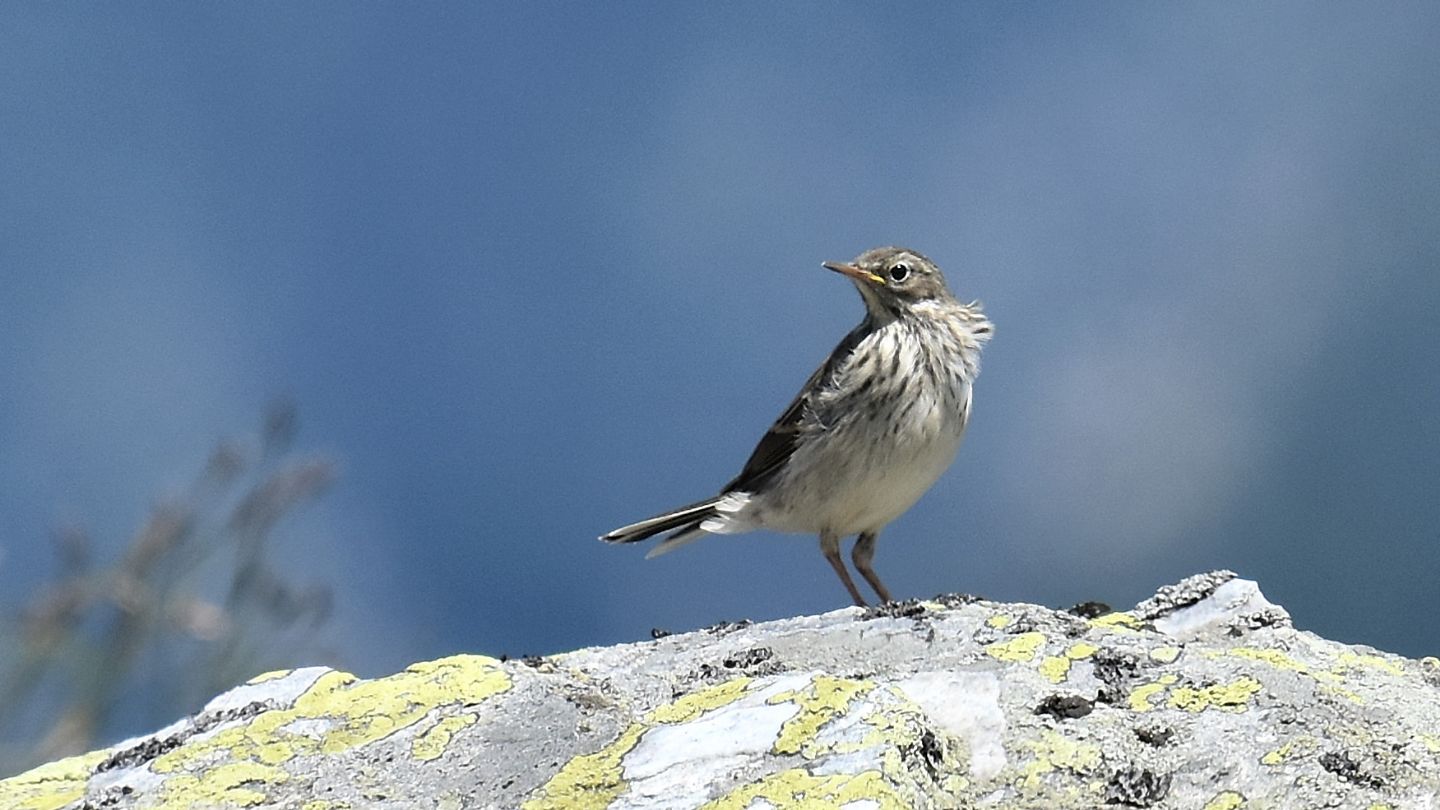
pixel 870 432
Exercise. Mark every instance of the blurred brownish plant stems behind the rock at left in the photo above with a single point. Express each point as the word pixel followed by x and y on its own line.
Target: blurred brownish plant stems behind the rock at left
pixel 191 607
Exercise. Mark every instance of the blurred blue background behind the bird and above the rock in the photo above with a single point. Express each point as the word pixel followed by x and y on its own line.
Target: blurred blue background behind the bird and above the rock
pixel 336 334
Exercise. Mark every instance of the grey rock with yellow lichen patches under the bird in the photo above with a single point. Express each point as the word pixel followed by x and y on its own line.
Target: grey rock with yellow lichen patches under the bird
pixel 1203 697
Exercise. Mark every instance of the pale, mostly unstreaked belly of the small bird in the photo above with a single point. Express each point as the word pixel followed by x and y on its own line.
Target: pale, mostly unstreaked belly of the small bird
pixel 856 484
